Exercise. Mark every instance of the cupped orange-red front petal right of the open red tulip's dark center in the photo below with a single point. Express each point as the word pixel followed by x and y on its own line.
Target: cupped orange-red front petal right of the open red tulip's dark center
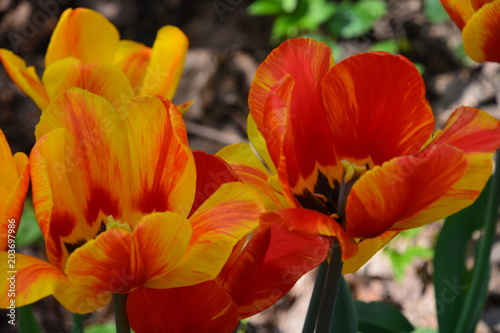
pixel 401 188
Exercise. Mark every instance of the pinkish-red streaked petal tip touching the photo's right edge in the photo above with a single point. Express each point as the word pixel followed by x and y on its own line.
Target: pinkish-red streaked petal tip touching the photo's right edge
pixel 471 130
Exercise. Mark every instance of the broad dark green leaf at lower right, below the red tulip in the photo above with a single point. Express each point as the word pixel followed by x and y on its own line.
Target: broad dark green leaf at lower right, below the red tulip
pixel 459 299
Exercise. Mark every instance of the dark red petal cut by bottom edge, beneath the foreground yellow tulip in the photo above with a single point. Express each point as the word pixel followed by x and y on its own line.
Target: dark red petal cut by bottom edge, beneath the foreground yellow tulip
pixel 205 307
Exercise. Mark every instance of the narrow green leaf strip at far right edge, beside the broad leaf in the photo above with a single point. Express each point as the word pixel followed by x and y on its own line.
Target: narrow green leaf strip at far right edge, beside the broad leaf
pixel 482 262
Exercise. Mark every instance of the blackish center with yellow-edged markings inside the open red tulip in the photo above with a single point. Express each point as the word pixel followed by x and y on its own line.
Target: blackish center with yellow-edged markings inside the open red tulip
pixel 331 200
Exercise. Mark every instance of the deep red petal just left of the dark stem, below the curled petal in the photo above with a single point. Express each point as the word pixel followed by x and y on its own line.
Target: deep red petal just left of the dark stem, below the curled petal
pixel 257 283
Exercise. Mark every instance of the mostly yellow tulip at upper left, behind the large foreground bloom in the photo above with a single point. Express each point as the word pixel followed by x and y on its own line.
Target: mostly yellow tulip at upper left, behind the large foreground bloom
pixel 85 51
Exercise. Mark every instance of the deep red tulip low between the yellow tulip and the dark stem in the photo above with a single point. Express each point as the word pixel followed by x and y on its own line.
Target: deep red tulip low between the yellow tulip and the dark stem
pixel 258 274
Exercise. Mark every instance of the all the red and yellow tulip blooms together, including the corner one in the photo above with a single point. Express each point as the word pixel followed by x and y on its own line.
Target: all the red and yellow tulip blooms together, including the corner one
pixel 340 159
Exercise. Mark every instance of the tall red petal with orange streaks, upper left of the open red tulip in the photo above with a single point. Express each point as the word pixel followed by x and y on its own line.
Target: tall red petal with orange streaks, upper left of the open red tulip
pixel 306 142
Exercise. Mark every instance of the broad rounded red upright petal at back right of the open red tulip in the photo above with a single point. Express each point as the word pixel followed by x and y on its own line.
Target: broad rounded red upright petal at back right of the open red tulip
pixel 365 96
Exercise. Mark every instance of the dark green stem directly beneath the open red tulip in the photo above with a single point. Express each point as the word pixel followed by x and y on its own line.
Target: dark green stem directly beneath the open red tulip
pixel 330 290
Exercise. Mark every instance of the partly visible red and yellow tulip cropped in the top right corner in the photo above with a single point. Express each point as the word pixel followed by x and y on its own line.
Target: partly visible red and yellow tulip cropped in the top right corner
pixel 479 21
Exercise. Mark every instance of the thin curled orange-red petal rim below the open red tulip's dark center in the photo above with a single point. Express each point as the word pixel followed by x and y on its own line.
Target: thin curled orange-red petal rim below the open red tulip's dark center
pixel 312 222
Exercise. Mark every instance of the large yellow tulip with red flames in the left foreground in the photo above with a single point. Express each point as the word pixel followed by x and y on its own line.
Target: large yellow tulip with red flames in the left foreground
pixel 113 197
